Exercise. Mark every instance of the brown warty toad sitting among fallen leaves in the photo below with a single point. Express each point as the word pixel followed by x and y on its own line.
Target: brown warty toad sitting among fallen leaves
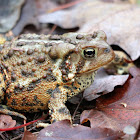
pixel 43 71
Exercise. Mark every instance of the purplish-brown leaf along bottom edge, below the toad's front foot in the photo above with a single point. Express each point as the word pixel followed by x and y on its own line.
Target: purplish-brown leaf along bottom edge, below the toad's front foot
pixel 64 130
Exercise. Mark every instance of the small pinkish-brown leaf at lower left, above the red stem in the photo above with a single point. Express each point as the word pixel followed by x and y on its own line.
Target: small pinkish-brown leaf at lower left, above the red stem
pixel 6 121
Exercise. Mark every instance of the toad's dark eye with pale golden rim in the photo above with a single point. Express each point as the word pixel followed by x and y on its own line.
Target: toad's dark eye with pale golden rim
pixel 89 53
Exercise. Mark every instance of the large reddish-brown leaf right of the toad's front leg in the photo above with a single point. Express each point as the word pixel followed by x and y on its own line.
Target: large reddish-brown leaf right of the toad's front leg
pixel 110 113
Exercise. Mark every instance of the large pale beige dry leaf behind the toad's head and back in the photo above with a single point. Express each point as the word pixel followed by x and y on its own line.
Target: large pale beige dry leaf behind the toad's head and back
pixel 121 22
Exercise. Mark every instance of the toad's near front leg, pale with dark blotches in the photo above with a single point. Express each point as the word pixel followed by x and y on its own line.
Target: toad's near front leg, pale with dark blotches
pixel 56 105
